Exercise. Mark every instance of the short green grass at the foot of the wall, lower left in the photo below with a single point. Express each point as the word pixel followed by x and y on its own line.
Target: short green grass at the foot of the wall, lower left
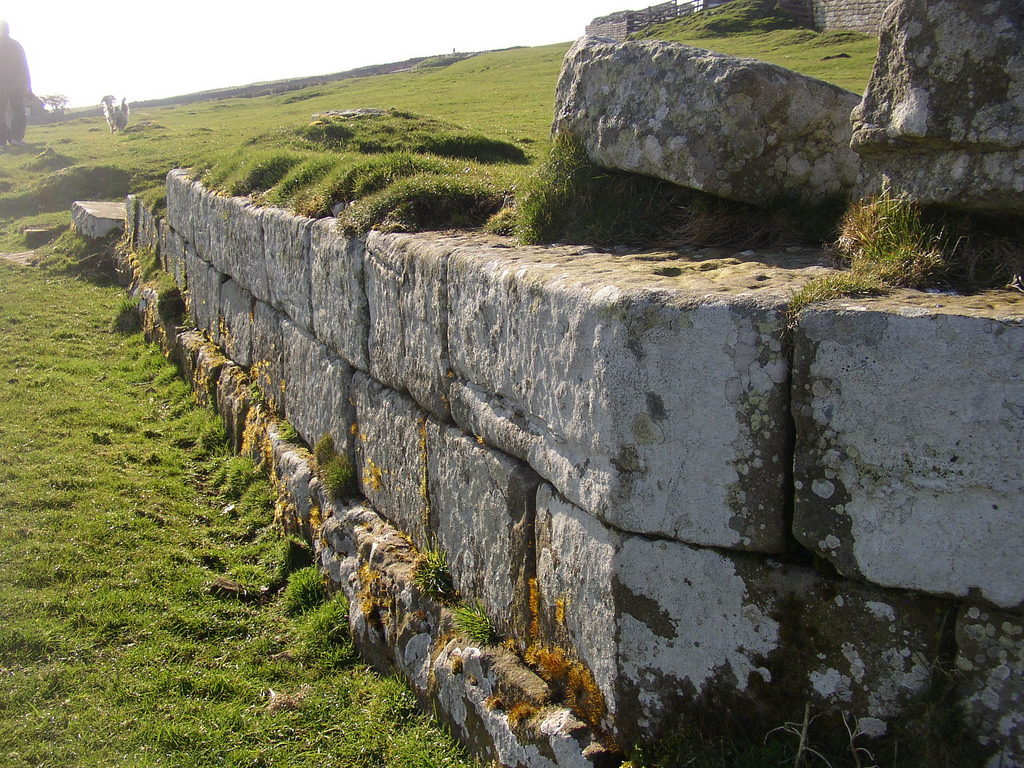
pixel 119 506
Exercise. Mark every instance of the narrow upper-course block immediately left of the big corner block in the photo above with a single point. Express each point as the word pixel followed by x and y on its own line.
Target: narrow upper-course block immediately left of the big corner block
pixel 408 294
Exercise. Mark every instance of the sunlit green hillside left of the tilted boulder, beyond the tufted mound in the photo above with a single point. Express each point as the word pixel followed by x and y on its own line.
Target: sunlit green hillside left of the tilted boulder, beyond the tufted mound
pixel 507 96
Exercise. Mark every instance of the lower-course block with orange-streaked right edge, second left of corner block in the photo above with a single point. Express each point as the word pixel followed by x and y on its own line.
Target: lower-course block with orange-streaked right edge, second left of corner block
pixel 392 455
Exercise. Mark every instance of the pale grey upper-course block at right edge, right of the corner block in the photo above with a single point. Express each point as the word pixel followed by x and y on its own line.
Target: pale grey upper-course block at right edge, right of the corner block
pixel 910 418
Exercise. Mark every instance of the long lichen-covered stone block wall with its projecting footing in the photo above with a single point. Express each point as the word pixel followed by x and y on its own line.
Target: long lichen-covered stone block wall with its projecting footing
pixel 668 500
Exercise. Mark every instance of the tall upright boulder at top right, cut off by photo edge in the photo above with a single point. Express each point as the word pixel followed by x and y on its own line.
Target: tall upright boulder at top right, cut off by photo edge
pixel 943 120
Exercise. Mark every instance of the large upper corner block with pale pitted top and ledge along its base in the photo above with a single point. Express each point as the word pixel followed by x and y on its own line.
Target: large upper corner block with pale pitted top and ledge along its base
pixel 659 405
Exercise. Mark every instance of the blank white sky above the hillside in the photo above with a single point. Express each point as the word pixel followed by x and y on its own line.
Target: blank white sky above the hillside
pixel 154 49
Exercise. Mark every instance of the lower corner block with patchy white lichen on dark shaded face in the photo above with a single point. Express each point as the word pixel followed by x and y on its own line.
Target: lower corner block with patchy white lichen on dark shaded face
pixel 672 632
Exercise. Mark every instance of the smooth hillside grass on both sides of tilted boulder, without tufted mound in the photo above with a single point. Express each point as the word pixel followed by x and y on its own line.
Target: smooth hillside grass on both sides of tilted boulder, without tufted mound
pixel 506 96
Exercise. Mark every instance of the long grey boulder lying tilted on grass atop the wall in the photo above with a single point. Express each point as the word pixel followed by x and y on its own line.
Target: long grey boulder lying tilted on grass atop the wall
pixel 737 129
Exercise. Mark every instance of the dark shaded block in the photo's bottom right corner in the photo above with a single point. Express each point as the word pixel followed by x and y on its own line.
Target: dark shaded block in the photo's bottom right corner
pixel 991 671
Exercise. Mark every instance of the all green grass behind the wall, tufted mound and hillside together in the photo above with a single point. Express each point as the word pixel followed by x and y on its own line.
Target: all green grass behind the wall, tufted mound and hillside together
pixel 494 103
